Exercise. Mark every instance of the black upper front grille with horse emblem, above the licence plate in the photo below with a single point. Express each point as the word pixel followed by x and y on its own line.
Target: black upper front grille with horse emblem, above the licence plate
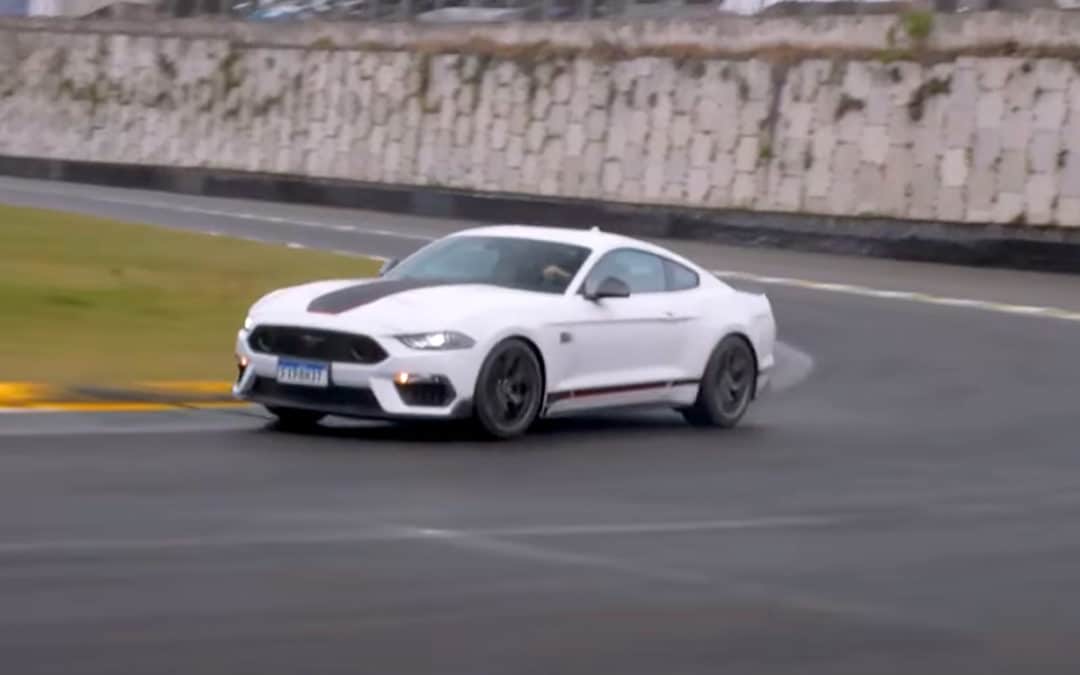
pixel 316 344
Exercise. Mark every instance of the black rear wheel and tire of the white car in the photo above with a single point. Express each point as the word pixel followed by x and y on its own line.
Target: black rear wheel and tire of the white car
pixel 727 387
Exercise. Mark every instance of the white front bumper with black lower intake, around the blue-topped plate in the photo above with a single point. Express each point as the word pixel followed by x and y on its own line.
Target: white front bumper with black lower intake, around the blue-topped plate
pixel 440 387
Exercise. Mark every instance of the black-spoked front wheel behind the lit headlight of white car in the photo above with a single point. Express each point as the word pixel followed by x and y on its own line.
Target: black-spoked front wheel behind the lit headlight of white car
pixel 509 390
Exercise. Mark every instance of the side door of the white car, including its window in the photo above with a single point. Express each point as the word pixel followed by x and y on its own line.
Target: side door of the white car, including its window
pixel 620 350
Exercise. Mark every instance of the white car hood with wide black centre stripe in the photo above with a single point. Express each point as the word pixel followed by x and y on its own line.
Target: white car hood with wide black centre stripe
pixel 377 306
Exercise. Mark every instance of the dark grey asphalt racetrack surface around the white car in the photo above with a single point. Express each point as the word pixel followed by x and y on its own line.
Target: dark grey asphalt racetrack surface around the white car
pixel 910 503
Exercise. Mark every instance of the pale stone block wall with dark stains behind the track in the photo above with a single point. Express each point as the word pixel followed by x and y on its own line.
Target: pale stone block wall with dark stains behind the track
pixel 983 139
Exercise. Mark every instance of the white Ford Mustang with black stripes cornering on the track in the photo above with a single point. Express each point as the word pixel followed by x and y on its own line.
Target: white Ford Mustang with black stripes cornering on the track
pixel 506 326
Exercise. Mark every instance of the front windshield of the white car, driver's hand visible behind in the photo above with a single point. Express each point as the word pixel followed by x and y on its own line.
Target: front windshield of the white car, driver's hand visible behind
pixel 509 262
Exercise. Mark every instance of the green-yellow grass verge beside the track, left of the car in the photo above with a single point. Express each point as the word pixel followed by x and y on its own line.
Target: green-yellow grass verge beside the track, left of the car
pixel 87 301
